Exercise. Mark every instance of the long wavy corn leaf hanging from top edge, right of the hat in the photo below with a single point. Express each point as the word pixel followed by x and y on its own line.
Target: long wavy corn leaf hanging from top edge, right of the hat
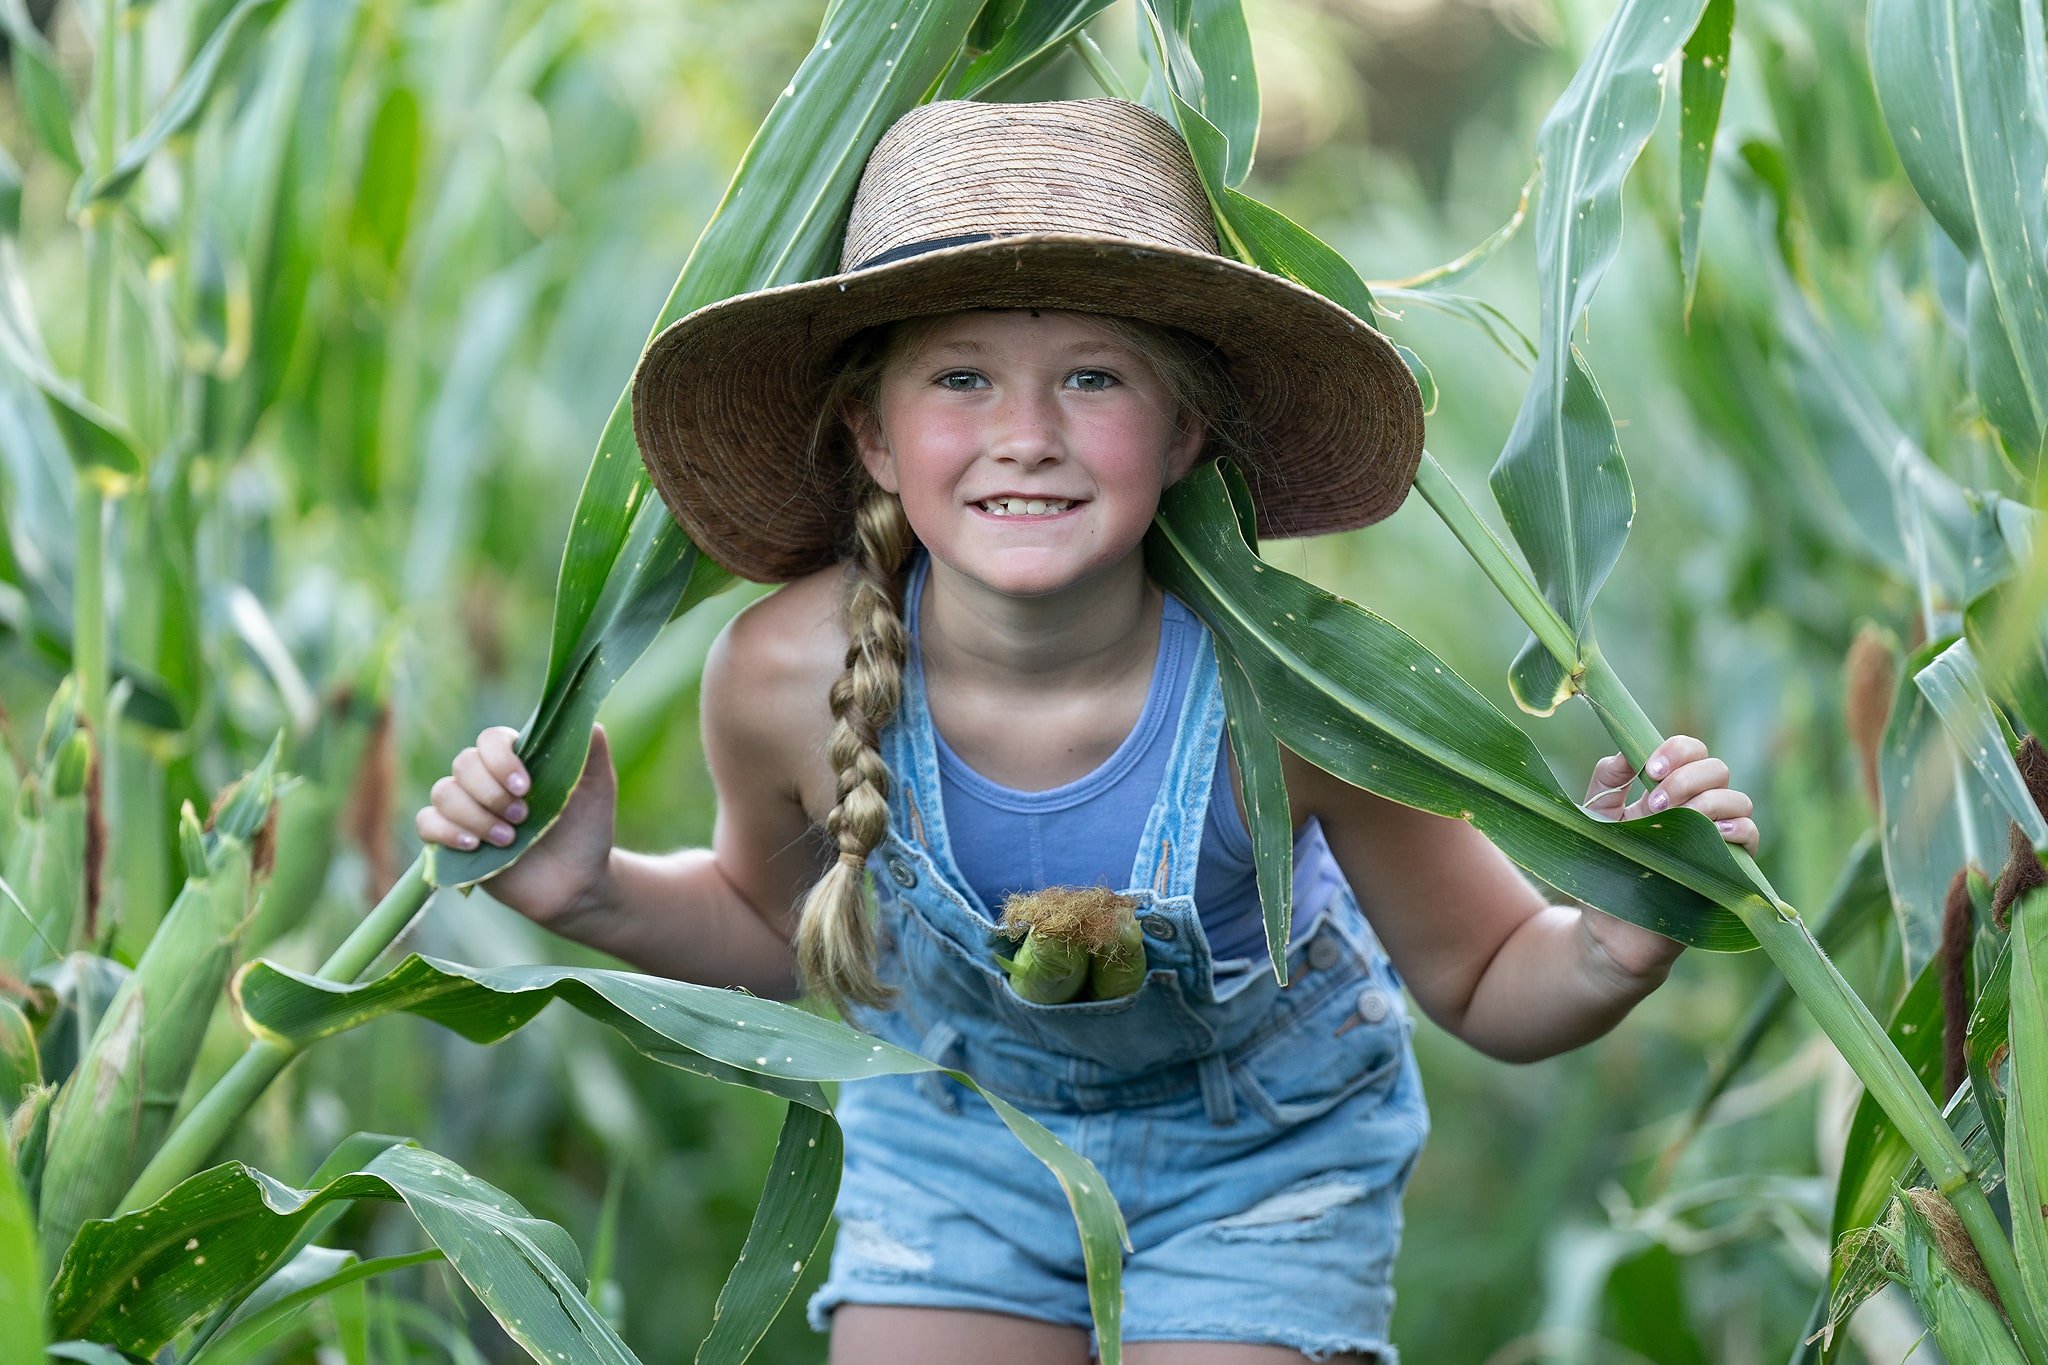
pixel 1562 482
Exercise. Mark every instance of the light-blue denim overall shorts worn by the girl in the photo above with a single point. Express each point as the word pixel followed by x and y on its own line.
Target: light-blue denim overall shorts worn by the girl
pixel 1256 1139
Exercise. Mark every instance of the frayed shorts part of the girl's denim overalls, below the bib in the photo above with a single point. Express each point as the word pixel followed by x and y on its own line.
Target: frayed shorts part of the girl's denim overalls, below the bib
pixel 1275 1227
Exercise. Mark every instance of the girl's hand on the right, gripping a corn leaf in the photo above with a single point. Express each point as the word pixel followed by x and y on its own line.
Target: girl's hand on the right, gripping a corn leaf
pixel 1687 775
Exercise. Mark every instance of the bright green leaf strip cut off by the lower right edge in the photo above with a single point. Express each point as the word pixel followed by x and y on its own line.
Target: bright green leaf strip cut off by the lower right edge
pixel 2026 1106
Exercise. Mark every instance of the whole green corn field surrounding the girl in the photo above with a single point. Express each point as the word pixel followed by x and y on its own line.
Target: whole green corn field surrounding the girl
pixel 316 320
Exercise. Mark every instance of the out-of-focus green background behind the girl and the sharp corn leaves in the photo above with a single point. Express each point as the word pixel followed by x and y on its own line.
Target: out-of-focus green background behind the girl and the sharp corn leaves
pixel 431 245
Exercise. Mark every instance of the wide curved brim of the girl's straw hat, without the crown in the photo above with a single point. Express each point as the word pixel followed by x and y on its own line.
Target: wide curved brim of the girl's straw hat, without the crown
pixel 726 402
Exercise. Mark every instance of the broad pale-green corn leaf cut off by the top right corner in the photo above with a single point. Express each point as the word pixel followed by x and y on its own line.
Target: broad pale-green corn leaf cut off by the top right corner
pixel 1965 97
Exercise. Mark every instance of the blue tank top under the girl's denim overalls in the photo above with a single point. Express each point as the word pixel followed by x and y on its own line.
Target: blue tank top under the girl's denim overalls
pixel 1082 834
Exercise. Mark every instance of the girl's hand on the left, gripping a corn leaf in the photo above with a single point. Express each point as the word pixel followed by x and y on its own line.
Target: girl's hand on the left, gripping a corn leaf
pixel 484 797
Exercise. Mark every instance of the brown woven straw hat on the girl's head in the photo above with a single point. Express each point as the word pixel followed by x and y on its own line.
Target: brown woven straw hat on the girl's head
pixel 1086 206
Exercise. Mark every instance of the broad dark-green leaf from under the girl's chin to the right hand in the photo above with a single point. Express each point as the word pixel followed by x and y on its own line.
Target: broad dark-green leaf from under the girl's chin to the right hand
pixel 1363 701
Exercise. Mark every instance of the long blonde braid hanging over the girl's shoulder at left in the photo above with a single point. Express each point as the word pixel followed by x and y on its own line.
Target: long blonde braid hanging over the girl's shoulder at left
pixel 835 938
